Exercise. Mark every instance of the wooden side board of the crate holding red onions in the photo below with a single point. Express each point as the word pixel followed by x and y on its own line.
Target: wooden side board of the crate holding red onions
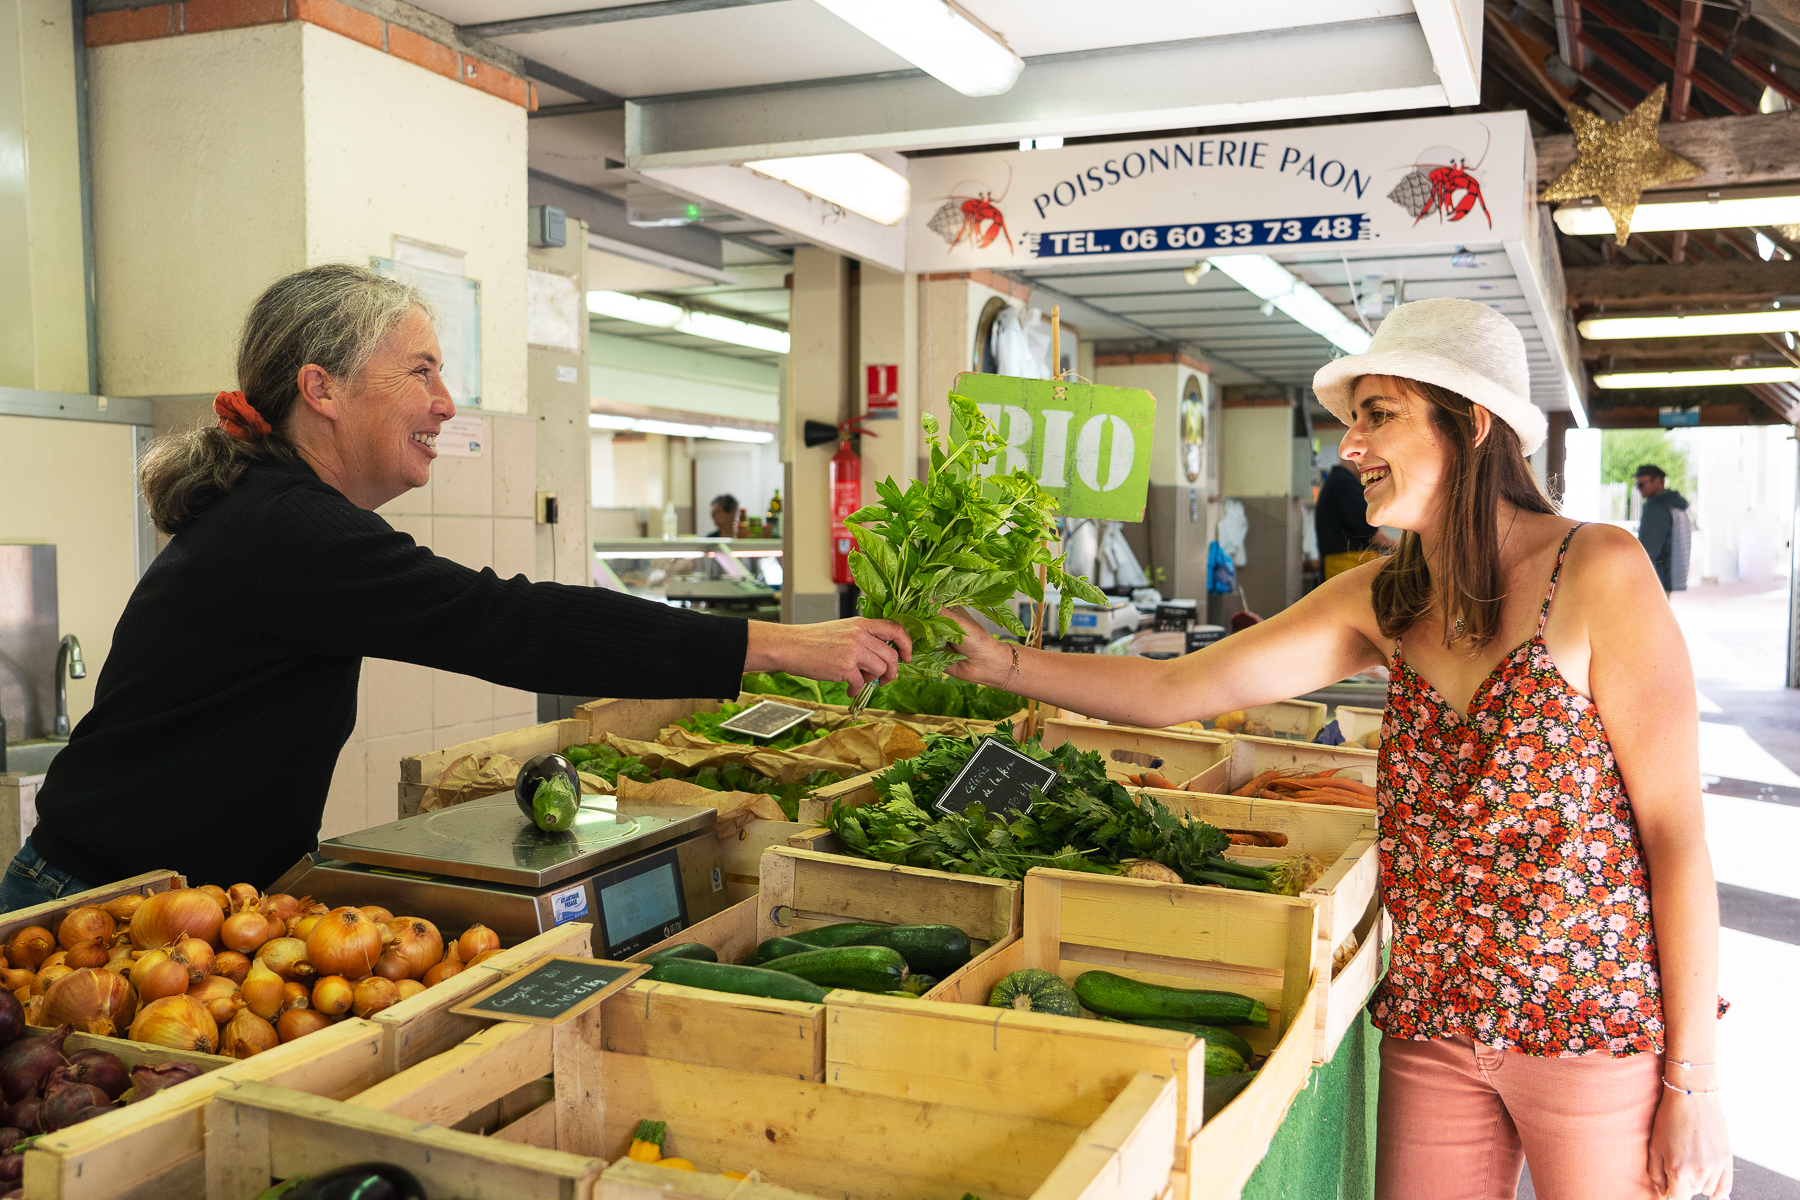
pixel 156 1149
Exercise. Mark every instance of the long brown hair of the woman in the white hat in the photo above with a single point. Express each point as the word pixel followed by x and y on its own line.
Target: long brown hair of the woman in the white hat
pixel 1470 584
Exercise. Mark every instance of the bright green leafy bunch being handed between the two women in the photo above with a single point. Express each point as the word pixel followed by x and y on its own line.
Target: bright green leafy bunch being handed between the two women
pixel 958 537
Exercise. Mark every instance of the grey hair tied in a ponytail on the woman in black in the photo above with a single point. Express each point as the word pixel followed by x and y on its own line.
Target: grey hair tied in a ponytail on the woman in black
pixel 334 318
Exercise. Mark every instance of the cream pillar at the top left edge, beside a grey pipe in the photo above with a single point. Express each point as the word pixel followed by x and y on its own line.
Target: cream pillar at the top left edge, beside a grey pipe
pixel 44 323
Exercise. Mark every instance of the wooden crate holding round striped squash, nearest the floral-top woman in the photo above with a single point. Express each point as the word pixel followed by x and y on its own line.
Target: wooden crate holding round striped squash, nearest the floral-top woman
pixel 1182 936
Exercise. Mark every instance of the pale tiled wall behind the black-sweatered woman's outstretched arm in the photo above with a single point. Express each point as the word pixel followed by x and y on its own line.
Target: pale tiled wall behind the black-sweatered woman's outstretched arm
pixel 476 512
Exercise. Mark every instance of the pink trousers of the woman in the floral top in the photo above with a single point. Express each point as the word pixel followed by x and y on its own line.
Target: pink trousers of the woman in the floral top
pixel 1457 1122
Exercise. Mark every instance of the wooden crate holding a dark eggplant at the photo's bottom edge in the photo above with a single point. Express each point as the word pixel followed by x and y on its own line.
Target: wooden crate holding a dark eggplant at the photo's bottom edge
pixel 260 1134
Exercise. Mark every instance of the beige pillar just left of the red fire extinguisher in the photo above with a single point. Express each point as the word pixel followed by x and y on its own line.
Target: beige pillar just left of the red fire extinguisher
pixel 818 372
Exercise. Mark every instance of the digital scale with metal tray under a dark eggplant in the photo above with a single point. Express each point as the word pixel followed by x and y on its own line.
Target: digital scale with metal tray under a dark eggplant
pixel 638 872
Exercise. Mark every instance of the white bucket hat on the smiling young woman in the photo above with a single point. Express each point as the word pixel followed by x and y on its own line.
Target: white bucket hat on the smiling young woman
pixel 1457 345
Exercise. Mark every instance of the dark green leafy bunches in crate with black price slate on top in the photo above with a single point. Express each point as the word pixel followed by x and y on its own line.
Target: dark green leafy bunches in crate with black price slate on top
pixel 1086 823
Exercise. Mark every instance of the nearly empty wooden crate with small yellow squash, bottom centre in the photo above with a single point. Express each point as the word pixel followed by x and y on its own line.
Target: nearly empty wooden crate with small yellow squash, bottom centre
pixel 818 1142
